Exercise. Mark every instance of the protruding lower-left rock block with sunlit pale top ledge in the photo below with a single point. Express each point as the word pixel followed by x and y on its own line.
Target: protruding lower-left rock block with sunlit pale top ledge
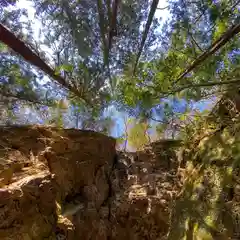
pixel 28 209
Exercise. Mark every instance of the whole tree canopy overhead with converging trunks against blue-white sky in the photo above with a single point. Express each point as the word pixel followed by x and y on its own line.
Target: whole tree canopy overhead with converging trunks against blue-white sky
pixel 117 54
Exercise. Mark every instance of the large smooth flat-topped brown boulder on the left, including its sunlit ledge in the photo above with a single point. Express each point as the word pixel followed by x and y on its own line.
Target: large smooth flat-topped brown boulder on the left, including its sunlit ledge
pixel 43 171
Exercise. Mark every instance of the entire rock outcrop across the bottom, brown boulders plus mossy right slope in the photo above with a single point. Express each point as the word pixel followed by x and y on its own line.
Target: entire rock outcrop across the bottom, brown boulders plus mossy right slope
pixel 71 184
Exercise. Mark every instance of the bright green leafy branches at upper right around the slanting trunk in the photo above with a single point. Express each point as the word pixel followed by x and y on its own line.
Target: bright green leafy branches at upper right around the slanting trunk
pixel 193 28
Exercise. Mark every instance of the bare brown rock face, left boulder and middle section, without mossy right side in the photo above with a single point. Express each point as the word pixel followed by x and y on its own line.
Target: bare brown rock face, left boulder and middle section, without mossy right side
pixel 70 184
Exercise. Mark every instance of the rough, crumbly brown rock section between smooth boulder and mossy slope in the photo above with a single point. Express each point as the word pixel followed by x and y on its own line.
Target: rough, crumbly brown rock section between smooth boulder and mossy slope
pixel 144 193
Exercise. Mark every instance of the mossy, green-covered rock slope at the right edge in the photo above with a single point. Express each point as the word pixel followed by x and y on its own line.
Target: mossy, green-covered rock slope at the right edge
pixel 212 155
